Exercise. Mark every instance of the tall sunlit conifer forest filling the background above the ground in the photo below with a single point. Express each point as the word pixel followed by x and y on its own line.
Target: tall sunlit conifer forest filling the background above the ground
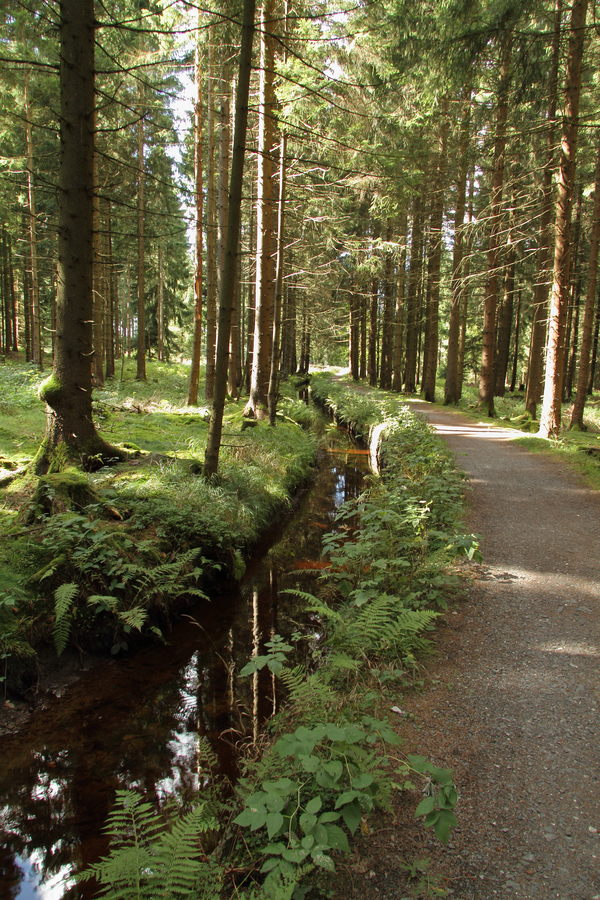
pixel 419 198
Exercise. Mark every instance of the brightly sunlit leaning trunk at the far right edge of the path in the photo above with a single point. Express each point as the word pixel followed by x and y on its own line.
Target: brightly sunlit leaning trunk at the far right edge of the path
pixel 550 418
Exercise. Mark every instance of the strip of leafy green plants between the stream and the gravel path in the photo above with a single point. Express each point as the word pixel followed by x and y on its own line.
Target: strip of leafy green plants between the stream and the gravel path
pixel 332 756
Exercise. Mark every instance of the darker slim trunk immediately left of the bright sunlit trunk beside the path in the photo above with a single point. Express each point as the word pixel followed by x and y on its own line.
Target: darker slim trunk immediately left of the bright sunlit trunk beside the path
pixel 544 254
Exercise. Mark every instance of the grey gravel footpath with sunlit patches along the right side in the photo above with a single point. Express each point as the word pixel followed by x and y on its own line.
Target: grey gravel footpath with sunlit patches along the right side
pixel 512 695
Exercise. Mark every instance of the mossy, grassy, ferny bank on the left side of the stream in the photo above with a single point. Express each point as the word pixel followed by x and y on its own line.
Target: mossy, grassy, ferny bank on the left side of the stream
pixel 94 560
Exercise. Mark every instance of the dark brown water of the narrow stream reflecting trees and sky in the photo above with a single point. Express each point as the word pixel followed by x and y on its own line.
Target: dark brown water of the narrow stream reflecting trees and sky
pixel 151 721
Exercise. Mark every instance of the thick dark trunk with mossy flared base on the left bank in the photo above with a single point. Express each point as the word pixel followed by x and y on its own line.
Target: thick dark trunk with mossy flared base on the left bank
pixel 68 391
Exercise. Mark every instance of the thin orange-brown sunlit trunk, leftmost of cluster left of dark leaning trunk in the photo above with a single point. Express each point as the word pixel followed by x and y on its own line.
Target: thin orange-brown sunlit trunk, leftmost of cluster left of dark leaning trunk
pixel 198 190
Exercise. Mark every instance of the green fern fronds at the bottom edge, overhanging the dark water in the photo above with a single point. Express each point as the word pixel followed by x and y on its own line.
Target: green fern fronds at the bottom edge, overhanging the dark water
pixel 148 859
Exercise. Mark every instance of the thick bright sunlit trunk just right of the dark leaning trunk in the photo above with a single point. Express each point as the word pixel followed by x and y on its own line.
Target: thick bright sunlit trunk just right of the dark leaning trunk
pixel 257 406
